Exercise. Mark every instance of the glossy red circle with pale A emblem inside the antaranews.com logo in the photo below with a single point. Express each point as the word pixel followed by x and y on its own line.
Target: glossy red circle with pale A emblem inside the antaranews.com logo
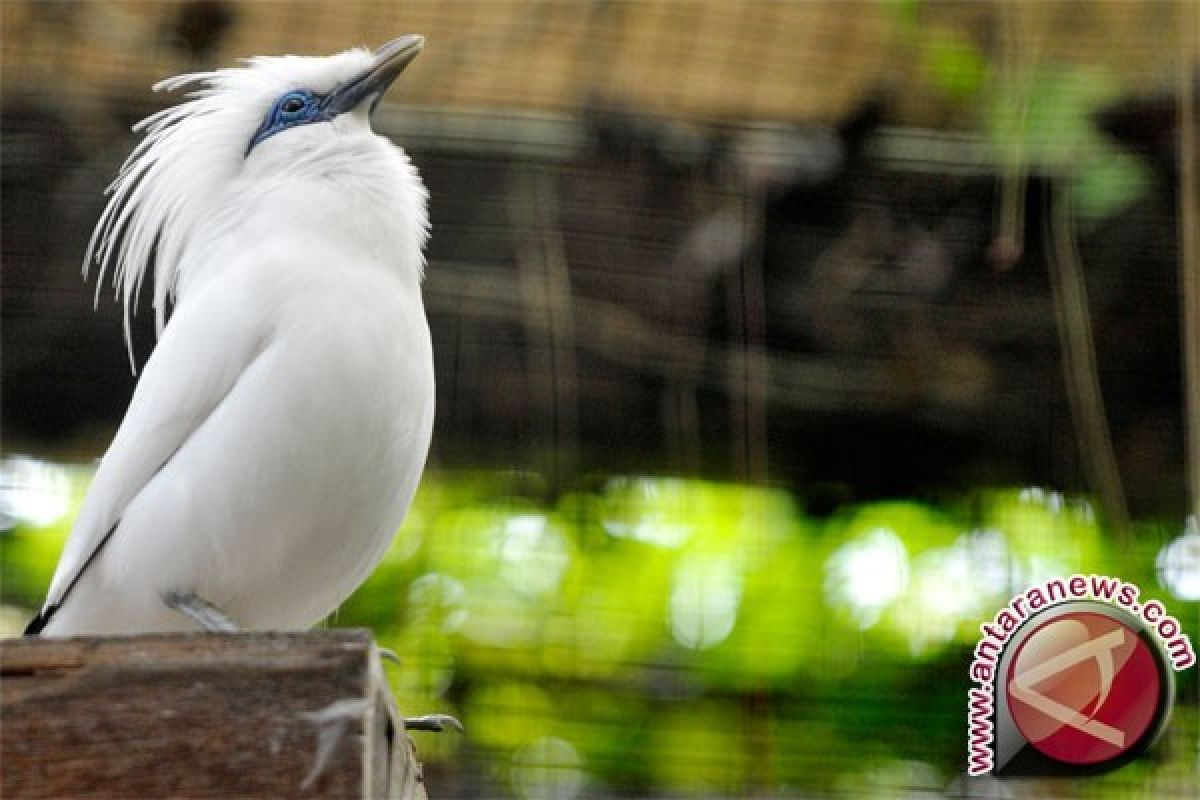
pixel 1084 688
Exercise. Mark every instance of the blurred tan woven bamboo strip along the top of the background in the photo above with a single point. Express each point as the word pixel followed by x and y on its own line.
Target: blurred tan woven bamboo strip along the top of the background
pixel 712 61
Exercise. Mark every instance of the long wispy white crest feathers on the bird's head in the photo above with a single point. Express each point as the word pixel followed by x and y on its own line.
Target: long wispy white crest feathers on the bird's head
pixel 191 154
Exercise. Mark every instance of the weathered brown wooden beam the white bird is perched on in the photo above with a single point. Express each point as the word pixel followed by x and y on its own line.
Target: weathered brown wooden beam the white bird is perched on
pixel 242 715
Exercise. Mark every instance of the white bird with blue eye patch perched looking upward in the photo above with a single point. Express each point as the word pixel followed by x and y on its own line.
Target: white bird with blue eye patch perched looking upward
pixel 280 429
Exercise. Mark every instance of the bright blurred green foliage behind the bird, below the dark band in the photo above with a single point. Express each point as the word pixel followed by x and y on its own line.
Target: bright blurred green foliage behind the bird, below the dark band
pixel 656 635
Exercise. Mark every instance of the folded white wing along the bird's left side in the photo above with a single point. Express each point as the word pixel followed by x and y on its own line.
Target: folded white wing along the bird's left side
pixel 208 345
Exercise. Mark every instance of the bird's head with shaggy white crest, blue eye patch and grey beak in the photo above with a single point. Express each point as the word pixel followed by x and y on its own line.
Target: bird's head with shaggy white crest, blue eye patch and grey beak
pixel 237 130
